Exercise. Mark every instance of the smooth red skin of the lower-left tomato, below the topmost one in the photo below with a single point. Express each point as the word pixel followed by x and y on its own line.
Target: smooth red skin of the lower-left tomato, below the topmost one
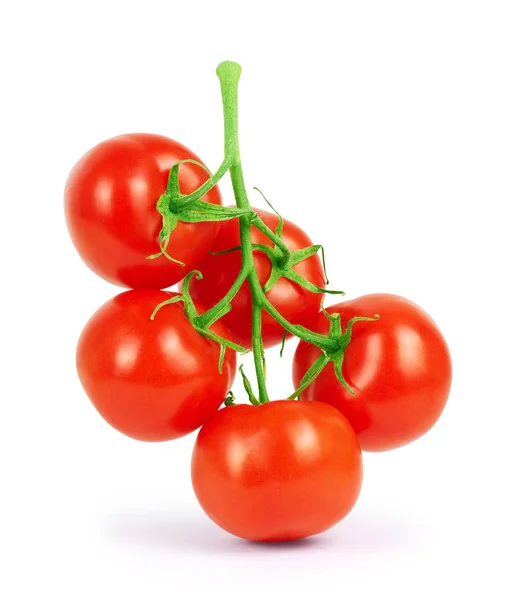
pixel 151 380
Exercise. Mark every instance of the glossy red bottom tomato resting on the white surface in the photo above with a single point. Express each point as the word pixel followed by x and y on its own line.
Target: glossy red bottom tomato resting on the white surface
pixel 277 472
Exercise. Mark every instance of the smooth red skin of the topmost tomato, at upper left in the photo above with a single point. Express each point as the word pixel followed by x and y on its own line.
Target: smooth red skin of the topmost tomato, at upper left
pixel 110 208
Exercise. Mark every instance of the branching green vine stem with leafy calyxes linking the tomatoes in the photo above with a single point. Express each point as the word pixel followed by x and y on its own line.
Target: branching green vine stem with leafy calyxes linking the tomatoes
pixel 175 207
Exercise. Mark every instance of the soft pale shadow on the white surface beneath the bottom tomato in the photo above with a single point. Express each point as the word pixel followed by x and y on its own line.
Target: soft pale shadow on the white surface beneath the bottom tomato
pixel 194 532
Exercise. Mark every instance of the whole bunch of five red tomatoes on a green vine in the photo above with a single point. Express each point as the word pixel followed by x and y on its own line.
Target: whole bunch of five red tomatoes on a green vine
pixel 371 374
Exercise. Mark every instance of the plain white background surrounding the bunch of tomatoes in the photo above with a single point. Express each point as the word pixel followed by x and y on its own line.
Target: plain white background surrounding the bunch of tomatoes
pixel 382 127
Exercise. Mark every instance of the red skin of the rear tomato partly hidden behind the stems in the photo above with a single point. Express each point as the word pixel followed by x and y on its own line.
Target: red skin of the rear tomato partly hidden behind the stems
pixel 295 303
